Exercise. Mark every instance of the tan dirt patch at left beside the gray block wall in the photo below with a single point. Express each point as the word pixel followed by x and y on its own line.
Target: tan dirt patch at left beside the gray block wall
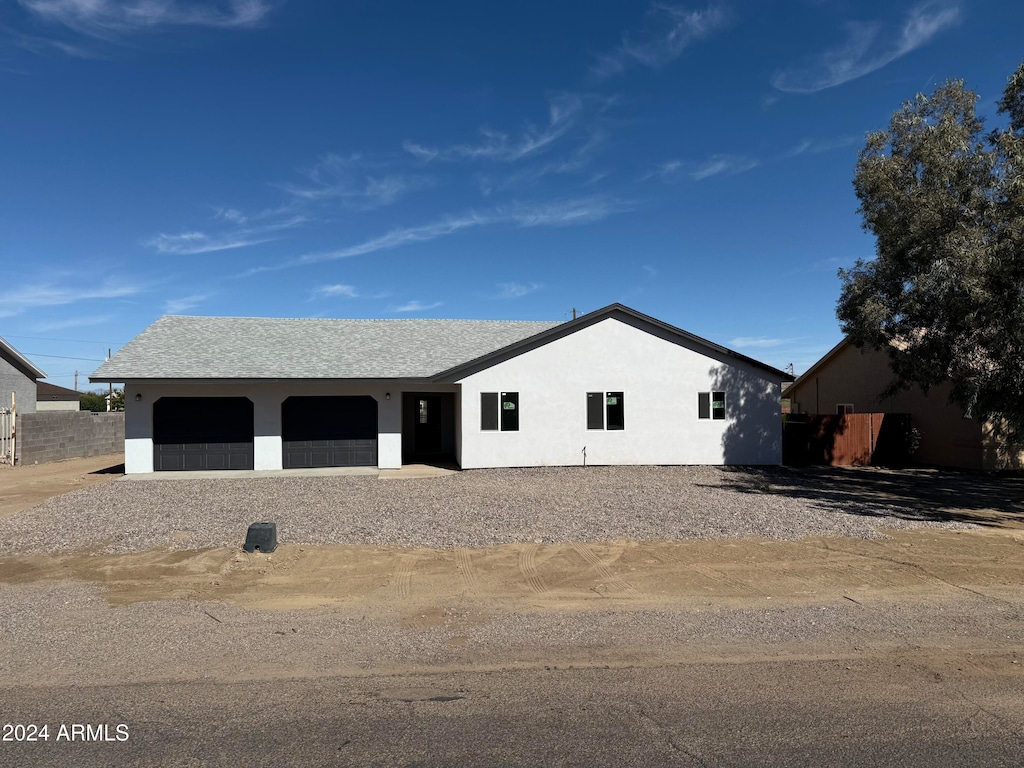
pixel 25 487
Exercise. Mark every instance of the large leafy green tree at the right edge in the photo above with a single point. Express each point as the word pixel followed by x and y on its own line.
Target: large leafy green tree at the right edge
pixel 945 295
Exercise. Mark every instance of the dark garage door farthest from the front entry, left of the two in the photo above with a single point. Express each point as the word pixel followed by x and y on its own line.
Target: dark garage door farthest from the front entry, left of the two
pixel 202 434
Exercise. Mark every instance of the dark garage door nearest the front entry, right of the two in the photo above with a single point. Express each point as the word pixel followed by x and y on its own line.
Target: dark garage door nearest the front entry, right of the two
pixel 337 432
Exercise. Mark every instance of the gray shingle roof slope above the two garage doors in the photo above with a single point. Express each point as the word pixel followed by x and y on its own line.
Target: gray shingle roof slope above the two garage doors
pixel 181 348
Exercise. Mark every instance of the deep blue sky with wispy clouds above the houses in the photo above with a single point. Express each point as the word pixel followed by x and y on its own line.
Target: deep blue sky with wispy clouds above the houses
pixel 374 159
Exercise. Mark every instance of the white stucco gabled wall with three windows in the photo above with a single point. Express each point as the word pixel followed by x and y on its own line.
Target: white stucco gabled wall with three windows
pixel 660 380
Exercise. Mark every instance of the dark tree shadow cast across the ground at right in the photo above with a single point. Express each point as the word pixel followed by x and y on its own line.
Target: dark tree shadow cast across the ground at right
pixel 926 495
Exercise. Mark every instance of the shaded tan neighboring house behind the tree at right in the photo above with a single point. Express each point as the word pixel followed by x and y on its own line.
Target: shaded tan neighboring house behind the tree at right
pixel 850 380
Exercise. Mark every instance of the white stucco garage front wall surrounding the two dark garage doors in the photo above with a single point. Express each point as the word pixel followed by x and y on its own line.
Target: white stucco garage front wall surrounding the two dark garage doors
pixel 268 398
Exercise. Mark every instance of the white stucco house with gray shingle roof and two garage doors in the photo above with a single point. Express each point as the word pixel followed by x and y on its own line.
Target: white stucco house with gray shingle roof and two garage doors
pixel 614 387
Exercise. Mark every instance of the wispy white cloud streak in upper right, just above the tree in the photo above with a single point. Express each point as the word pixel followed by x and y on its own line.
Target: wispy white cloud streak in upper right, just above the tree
pixel 868 48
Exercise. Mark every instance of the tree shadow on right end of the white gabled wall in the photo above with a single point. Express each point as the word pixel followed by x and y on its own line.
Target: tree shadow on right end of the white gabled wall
pixel 754 429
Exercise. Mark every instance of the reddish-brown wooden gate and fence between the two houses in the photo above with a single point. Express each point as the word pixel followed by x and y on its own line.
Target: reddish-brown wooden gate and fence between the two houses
pixel 847 441
